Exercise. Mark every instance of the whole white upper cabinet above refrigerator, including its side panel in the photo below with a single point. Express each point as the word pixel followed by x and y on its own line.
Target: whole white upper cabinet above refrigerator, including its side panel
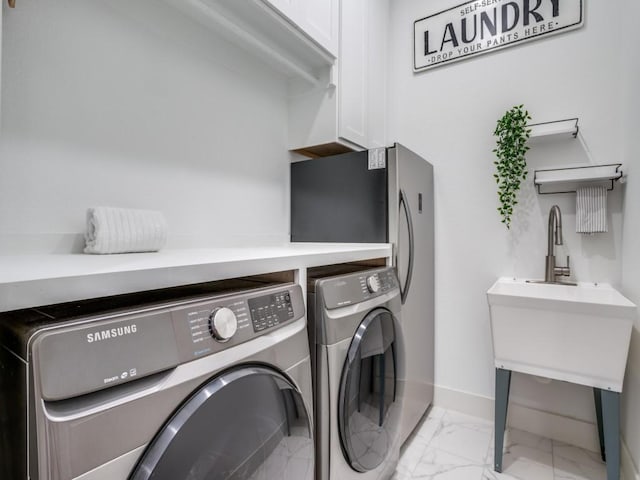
pixel 348 111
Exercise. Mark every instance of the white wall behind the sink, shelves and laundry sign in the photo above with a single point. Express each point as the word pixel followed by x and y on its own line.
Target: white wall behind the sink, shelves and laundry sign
pixel 448 114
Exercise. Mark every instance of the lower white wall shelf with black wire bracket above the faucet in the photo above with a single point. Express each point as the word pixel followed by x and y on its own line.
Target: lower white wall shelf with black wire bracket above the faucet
pixel 566 180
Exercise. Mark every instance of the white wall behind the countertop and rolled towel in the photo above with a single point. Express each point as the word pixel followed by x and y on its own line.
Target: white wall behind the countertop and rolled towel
pixel 131 104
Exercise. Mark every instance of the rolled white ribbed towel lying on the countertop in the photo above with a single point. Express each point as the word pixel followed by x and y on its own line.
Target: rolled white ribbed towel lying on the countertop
pixel 122 230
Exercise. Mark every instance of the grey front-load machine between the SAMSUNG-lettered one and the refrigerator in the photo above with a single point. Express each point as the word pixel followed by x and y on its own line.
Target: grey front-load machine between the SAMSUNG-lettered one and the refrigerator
pixel 354 338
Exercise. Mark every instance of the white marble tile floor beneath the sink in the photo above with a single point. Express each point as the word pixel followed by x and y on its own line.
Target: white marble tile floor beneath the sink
pixel 452 446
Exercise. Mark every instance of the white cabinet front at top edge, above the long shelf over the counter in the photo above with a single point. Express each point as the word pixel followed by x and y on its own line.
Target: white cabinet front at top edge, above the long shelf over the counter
pixel 317 18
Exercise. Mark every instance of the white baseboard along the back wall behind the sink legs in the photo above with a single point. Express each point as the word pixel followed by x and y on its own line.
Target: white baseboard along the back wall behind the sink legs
pixel 550 425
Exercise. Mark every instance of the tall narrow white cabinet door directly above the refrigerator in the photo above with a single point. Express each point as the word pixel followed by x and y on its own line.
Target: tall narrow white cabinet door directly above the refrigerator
pixel 353 60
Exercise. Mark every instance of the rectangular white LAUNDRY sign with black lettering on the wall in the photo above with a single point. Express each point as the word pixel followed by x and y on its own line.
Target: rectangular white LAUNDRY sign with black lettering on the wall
pixel 482 26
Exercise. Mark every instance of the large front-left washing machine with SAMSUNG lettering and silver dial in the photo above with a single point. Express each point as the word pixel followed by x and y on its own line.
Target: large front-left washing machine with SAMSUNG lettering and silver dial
pixel 205 387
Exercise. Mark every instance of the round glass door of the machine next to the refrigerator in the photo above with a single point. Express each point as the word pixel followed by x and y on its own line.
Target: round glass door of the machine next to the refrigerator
pixel 367 409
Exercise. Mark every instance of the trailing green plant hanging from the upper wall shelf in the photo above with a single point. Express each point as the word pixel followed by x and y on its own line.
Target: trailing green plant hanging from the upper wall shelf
pixel 511 166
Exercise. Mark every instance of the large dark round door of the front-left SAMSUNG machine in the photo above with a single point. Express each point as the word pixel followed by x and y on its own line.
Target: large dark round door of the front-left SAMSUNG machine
pixel 247 423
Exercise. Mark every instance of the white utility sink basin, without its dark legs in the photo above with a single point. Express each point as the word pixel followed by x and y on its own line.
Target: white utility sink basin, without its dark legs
pixel 579 334
